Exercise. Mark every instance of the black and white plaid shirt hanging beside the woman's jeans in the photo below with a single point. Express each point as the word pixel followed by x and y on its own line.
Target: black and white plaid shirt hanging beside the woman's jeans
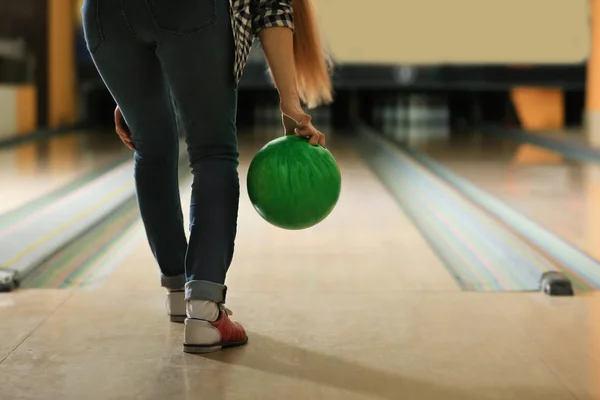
pixel 248 18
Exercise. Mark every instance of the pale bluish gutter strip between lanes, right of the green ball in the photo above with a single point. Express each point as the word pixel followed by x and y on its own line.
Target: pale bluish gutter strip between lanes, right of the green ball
pixel 480 253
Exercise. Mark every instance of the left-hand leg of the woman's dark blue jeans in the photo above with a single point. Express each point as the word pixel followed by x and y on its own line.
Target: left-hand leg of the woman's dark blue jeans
pixel 132 72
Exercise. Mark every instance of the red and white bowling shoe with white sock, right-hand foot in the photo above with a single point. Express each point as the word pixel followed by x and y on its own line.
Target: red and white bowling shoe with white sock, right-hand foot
pixel 208 328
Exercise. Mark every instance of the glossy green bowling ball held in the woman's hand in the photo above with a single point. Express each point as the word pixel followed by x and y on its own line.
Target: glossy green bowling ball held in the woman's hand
pixel 293 184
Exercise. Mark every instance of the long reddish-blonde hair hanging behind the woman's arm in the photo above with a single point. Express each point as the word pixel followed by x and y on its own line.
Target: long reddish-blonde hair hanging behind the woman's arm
pixel 313 65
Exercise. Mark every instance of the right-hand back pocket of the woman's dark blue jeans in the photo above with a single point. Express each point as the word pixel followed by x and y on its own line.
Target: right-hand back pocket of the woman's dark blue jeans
pixel 183 16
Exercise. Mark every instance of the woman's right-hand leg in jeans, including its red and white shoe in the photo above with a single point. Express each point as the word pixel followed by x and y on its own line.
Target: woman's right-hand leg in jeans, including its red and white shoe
pixel 197 61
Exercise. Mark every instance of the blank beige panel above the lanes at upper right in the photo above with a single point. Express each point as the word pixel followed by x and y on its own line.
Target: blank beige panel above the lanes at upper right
pixel 458 31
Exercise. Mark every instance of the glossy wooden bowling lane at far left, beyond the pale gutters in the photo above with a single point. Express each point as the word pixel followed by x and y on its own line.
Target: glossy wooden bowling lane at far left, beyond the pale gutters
pixel 33 169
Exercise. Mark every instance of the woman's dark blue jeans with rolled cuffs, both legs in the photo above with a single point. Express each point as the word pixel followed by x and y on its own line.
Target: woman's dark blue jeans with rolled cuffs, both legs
pixel 159 59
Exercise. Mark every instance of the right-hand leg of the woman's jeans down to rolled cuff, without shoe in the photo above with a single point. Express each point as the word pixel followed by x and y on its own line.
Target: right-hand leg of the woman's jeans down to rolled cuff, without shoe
pixel 198 68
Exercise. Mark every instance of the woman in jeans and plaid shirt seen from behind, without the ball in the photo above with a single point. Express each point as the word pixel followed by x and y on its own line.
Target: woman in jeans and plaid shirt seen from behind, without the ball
pixel 162 57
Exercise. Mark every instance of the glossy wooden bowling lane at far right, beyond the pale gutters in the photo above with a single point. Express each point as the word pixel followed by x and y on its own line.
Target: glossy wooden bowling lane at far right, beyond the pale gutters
pixel 554 191
